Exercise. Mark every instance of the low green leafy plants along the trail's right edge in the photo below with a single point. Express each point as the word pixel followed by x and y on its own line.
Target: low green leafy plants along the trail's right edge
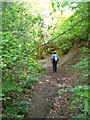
pixel 81 92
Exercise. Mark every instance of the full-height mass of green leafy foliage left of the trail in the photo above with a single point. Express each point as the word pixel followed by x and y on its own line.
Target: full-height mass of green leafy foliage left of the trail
pixel 18 66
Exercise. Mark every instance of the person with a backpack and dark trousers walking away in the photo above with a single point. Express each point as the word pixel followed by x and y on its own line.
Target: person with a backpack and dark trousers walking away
pixel 54 60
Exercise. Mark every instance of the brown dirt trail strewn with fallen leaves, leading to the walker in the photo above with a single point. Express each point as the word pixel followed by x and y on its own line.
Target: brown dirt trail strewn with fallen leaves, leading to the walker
pixel 46 103
